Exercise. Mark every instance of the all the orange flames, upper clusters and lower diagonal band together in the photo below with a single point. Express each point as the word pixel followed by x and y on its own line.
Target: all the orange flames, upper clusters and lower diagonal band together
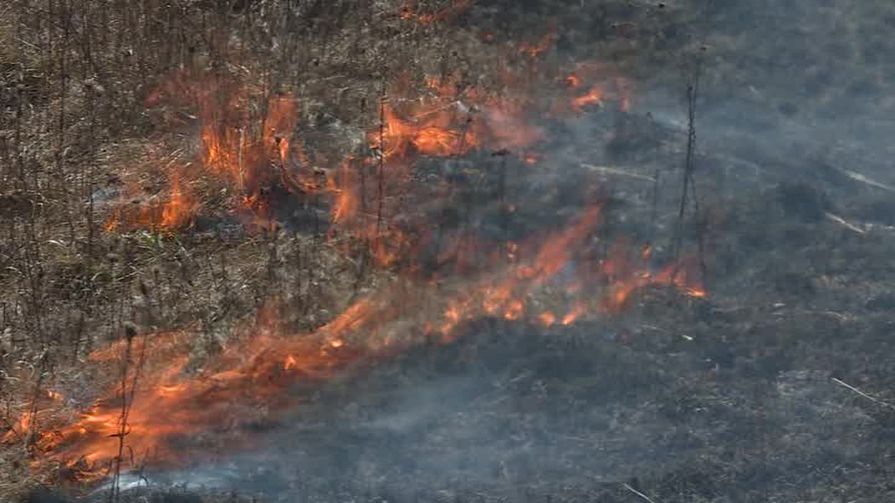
pixel 253 378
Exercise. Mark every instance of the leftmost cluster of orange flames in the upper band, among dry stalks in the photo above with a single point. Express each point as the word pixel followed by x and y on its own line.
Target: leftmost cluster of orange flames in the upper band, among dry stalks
pixel 245 154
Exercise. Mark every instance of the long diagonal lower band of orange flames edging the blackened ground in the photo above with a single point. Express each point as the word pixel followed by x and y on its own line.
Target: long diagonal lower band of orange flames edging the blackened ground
pixel 256 370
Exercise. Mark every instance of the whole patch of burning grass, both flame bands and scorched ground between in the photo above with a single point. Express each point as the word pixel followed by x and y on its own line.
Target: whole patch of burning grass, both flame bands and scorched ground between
pixel 246 156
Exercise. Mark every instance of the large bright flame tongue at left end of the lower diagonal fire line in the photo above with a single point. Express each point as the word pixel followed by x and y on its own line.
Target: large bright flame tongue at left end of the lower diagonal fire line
pixel 172 406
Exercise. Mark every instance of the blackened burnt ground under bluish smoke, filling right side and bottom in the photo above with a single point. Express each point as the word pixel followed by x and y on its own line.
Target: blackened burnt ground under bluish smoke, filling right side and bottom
pixel 777 387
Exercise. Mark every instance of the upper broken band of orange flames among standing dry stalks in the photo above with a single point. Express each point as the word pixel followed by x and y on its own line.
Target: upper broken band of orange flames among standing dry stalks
pixel 243 151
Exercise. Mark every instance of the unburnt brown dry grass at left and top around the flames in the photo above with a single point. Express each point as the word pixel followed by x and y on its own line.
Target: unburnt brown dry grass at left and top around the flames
pixel 75 79
